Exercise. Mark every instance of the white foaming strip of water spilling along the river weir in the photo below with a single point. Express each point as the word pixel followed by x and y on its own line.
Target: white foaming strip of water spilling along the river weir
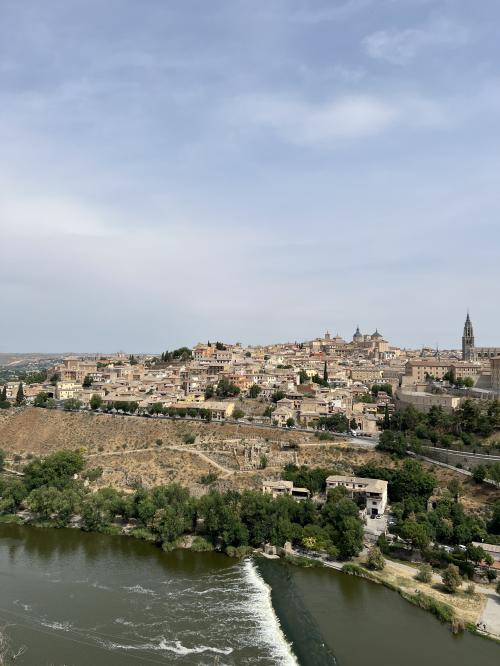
pixel 270 631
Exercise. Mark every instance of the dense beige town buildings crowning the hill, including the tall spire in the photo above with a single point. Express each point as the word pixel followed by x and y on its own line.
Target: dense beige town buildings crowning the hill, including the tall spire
pixel 303 381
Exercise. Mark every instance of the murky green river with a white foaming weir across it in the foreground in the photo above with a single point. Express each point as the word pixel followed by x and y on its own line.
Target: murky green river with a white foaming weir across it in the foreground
pixel 74 599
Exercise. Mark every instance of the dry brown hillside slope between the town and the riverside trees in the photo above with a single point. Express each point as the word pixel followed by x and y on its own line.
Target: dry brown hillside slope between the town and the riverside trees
pixel 159 451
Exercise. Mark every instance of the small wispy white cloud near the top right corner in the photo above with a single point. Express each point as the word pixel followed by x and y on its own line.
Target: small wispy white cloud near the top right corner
pixel 400 47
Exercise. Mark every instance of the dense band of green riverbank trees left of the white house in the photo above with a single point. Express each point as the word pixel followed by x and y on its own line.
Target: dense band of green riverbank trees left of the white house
pixel 53 491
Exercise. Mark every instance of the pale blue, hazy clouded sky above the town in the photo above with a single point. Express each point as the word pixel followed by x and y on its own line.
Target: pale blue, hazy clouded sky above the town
pixel 247 170
